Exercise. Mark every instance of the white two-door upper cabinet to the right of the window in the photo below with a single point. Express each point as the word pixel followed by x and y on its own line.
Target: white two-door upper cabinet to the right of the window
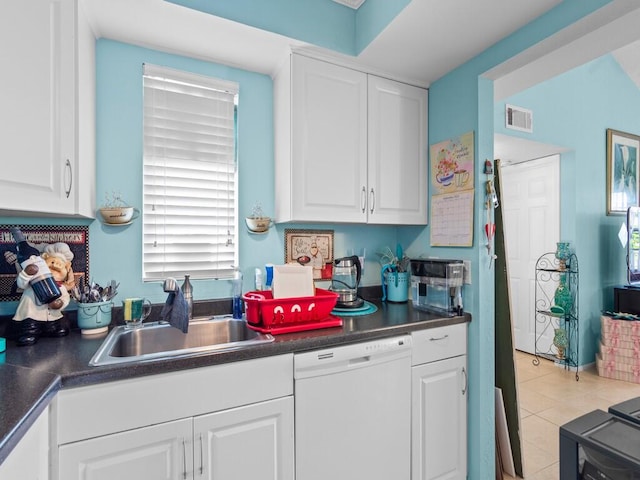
pixel 350 147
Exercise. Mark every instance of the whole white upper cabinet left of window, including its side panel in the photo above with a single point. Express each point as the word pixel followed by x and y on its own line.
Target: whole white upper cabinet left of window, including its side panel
pixel 47 115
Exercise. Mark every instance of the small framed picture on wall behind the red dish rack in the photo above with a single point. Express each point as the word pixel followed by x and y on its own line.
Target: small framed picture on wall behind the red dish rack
pixel 311 248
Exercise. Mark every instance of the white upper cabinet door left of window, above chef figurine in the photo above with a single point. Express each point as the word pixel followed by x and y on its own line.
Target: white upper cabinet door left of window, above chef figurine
pixel 36 114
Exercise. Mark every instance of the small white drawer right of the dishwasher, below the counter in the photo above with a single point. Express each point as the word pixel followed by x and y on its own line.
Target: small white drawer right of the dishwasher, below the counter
pixel 439 343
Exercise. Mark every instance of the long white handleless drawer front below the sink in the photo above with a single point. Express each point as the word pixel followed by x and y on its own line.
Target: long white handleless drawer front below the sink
pixel 111 407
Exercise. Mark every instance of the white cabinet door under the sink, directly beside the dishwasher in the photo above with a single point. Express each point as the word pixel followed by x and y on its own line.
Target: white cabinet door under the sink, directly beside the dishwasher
pixel 251 442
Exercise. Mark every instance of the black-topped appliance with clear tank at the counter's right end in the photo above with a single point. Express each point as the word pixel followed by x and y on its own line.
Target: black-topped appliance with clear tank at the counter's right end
pixel 436 285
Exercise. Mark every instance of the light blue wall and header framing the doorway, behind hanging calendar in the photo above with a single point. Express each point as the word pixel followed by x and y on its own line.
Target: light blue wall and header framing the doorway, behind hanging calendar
pixel 459 102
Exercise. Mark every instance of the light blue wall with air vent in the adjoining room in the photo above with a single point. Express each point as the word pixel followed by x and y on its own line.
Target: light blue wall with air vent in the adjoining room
pixel 574 110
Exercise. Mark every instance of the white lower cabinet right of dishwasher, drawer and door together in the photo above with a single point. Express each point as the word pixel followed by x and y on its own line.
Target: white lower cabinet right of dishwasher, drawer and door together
pixel 439 404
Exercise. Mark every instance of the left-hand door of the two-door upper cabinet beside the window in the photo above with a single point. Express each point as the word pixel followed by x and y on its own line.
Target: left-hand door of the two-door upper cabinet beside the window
pixel 329 142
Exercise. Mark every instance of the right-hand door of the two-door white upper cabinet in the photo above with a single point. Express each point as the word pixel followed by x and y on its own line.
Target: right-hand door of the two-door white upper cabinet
pixel 398 169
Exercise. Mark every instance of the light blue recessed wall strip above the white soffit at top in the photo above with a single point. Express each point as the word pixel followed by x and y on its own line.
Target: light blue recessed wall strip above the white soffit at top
pixel 318 22
